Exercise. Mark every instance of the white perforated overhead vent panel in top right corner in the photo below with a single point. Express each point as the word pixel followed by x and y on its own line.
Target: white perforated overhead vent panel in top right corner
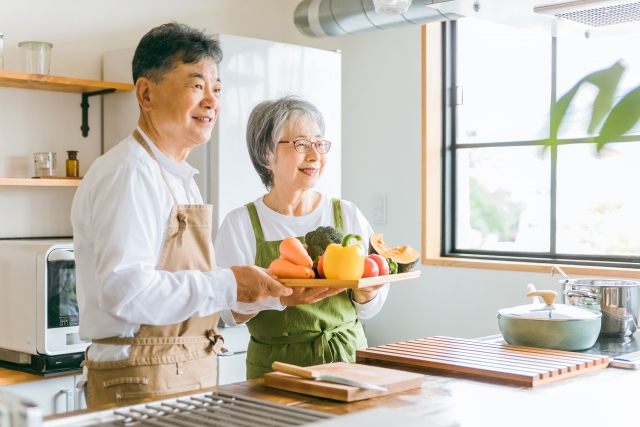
pixel 594 13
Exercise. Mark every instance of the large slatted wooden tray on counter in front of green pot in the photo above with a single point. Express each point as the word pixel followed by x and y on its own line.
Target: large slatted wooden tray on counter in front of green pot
pixel 525 365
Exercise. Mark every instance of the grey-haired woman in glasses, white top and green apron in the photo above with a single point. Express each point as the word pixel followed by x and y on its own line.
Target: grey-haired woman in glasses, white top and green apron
pixel 312 326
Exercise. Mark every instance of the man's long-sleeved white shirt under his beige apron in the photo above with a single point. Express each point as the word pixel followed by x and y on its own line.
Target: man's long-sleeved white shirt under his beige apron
pixel 119 216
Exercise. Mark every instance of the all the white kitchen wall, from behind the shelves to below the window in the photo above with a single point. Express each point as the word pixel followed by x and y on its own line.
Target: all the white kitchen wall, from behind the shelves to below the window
pixel 381 131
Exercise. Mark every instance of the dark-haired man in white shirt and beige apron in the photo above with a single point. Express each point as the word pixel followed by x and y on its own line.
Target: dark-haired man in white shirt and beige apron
pixel 148 289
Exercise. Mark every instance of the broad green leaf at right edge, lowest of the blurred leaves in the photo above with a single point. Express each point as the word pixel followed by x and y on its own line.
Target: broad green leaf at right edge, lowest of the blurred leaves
pixel 624 115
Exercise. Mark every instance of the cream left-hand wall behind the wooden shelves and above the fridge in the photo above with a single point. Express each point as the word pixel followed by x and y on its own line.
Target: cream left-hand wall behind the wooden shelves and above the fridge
pixel 81 31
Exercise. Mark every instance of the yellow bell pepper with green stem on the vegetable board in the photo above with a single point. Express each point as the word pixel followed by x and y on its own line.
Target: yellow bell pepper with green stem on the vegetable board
pixel 344 262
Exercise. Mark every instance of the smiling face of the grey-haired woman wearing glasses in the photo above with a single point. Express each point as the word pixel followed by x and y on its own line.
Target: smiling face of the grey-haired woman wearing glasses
pixel 293 170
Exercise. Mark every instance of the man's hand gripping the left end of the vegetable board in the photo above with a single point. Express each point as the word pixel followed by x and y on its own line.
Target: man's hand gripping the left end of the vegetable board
pixel 255 283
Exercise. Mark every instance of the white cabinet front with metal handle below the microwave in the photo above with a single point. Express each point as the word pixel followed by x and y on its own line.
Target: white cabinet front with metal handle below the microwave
pixel 54 395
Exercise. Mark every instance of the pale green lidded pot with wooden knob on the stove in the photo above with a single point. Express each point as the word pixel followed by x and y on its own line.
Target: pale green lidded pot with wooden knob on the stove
pixel 549 325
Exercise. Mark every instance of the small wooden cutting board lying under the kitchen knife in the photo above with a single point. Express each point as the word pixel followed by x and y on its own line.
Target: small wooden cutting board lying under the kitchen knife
pixel 393 380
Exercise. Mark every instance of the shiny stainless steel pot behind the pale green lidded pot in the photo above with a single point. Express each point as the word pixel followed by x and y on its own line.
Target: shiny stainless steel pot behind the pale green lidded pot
pixel 618 300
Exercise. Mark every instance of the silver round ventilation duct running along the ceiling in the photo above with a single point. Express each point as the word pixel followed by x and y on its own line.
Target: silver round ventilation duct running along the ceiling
pixel 332 18
